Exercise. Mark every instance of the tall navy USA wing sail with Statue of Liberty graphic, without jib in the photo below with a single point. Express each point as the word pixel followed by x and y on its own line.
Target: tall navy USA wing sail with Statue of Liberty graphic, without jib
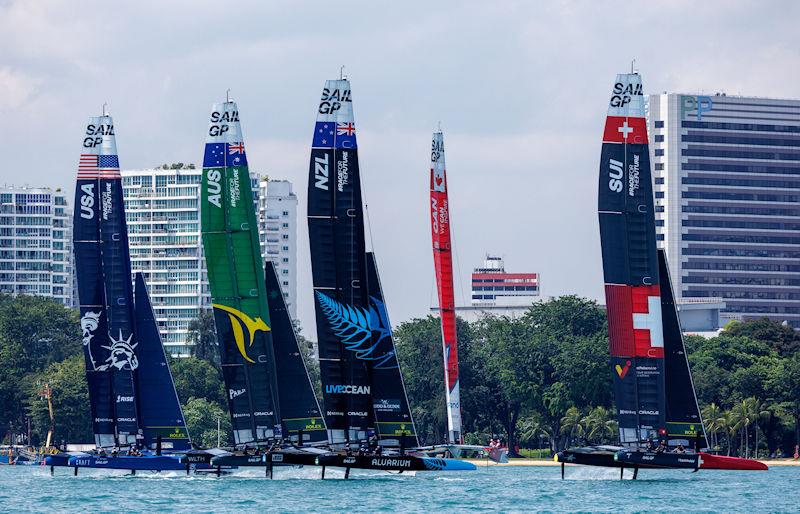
pixel 102 265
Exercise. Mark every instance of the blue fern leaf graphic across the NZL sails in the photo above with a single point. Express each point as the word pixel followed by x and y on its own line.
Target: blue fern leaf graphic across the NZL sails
pixel 360 330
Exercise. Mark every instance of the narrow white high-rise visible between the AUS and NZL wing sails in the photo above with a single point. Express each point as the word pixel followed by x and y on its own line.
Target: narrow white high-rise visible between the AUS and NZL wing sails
pixel 277 219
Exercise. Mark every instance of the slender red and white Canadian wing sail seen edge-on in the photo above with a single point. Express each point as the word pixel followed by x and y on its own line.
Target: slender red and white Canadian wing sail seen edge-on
pixel 443 262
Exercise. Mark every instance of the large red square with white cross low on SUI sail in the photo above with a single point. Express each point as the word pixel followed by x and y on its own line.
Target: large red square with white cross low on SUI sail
pixel 634 321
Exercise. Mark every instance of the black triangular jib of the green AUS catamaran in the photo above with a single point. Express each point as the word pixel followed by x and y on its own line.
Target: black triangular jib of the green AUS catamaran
pixel 299 409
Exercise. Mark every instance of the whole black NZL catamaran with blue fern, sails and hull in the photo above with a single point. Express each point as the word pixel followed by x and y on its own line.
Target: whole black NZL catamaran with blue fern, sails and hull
pixel 365 400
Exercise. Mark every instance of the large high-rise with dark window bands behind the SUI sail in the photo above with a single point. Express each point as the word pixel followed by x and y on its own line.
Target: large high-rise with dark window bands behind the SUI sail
pixel 727 190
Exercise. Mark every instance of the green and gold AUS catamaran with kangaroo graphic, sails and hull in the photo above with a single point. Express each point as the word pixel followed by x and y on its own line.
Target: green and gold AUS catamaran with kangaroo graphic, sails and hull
pixel 274 412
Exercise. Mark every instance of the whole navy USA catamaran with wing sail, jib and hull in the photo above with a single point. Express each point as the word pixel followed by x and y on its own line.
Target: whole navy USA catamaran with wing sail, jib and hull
pixel 136 416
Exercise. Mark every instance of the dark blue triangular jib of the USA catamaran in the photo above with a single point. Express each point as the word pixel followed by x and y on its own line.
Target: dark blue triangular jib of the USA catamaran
pixel 160 411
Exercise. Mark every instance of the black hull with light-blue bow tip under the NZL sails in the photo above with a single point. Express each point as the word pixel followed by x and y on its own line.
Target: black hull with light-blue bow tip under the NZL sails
pixel 394 463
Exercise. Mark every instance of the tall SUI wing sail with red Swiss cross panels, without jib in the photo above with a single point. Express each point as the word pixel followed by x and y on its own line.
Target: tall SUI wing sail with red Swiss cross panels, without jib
pixel 630 266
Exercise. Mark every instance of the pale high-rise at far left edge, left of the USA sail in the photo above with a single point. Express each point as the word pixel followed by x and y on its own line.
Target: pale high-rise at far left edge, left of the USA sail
pixel 36 243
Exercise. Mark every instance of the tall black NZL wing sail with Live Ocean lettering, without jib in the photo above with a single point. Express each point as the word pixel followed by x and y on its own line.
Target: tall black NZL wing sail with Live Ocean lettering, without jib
pixel 336 236
